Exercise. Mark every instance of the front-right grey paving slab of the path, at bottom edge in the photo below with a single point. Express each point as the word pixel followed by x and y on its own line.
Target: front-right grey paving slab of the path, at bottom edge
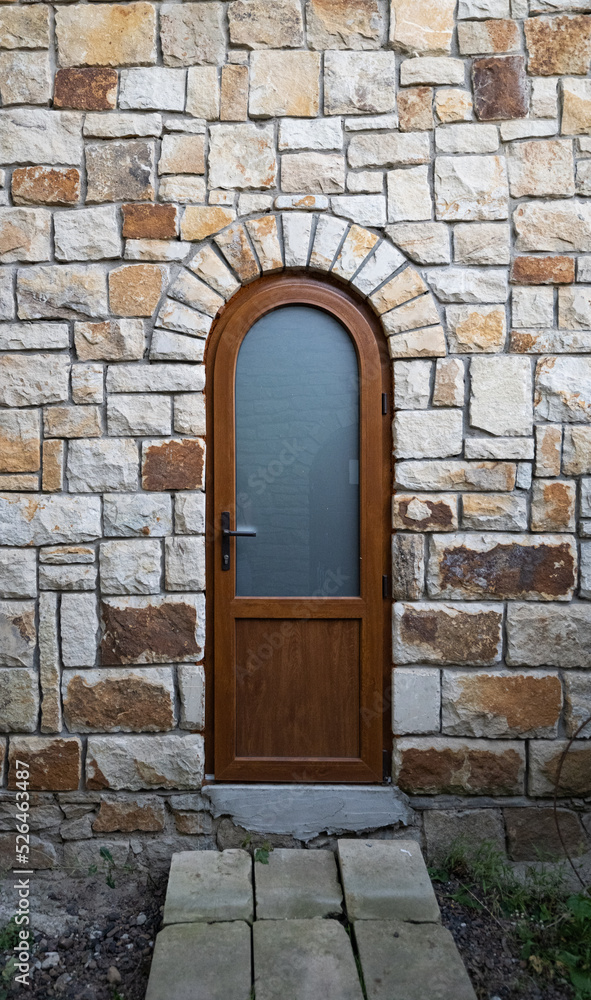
pixel 403 961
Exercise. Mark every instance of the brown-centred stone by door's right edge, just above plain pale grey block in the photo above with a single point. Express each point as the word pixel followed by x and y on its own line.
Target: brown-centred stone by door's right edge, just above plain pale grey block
pixel 438 636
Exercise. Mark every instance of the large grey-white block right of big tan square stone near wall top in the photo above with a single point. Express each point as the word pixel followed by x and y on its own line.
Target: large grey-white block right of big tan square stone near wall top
pixel 359 83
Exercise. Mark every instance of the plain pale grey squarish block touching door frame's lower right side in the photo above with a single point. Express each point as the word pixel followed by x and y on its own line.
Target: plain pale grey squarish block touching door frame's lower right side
pixel 416 700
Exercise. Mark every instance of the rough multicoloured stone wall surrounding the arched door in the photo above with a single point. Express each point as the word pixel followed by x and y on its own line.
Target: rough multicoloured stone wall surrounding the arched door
pixel 154 158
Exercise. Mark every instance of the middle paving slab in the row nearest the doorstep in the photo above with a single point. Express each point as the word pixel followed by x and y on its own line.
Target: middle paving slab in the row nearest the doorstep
pixel 297 885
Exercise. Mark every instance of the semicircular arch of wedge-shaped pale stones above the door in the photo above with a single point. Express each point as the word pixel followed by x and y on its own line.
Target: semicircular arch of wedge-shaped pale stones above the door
pixel 317 242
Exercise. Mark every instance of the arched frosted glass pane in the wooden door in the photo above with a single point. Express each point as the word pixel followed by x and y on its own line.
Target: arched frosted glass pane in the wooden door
pixel 297 457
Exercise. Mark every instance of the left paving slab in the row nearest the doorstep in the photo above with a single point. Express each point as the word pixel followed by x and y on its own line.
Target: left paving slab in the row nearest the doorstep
pixel 208 886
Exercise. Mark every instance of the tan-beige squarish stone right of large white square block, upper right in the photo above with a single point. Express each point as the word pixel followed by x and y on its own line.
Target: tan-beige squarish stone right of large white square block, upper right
pixel 541 168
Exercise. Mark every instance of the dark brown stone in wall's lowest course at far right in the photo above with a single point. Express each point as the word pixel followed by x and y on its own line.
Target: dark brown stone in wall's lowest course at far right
pixel 532 833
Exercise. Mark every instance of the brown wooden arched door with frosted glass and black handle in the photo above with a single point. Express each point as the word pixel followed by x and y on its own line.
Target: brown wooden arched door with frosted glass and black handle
pixel 298 390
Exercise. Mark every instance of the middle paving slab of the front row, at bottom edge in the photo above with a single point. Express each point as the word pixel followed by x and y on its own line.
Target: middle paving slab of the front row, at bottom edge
pixel 304 960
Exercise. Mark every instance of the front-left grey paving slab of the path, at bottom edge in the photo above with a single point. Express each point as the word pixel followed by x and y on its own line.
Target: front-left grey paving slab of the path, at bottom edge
pixel 202 962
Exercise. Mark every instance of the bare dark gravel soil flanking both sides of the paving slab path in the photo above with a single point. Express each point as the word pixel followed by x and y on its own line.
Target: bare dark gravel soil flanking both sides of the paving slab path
pixel 93 942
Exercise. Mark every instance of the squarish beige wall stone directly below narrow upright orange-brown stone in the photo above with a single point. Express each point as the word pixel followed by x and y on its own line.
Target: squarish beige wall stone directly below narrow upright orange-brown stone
pixel 242 156
